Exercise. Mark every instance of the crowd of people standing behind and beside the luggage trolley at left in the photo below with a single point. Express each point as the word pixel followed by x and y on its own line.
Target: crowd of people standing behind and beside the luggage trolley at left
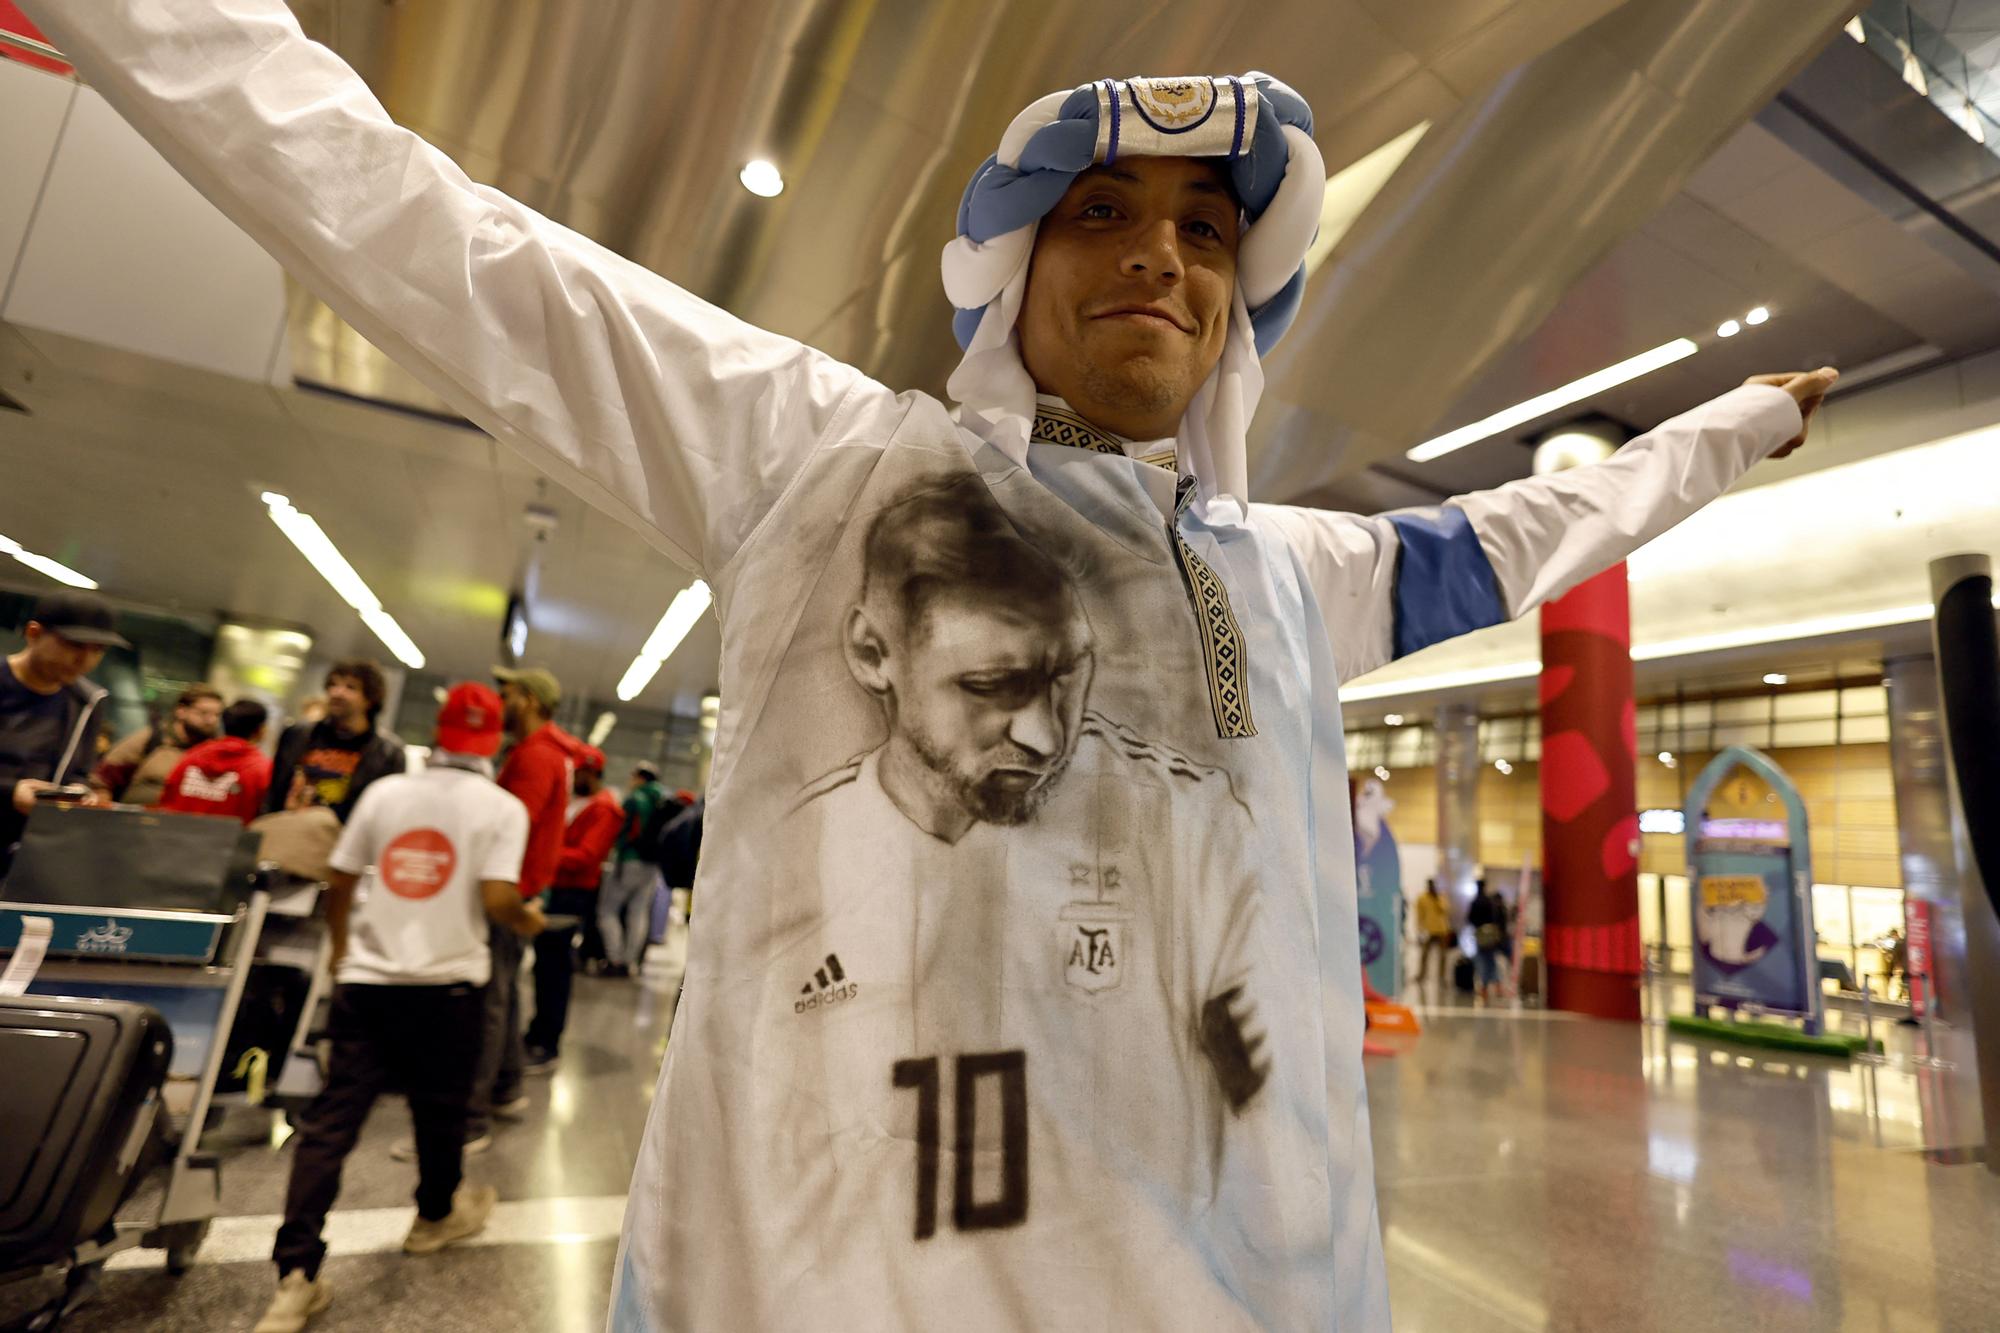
pixel 437 876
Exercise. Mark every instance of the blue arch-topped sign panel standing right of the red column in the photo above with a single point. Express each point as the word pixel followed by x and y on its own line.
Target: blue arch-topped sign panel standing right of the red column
pixel 1751 896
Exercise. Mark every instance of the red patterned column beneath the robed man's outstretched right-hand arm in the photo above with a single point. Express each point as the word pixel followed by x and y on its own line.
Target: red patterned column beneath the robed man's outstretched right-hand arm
pixel 1589 802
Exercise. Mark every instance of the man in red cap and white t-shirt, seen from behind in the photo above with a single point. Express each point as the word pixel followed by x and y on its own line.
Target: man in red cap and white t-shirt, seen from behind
pixel 441 856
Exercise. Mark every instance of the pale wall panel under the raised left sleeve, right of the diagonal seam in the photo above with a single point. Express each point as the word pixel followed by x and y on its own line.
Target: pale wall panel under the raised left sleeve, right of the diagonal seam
pixel 127 253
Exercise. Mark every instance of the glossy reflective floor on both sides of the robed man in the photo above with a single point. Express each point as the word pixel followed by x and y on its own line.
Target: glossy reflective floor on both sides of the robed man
pixel 1535 1174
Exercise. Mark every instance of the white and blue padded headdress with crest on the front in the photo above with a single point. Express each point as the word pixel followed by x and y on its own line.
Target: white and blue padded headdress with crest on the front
pixel 1255 123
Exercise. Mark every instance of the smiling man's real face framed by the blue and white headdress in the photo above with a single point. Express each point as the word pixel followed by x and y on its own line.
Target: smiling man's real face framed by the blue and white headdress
pixel 1129 291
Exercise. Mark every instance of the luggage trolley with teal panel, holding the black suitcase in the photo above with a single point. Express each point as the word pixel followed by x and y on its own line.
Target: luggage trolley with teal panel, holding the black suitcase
pixel 189 960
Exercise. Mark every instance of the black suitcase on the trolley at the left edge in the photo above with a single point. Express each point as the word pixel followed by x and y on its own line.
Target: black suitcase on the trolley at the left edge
pixel 77 1114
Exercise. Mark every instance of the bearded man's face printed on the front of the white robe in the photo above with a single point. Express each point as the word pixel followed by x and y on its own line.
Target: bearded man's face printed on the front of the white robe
pixel 991 698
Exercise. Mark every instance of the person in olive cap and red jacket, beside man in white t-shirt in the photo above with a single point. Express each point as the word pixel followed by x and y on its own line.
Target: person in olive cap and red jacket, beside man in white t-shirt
pixel 537 774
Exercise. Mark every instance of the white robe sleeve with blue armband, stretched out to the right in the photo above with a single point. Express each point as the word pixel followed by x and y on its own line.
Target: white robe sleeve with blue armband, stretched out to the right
pixel 1399 583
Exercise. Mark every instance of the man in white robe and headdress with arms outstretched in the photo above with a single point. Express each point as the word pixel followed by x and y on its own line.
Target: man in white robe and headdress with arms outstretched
pixel 1103 407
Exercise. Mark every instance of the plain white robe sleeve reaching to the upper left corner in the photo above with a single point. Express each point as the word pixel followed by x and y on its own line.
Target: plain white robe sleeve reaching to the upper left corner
pixel 635 393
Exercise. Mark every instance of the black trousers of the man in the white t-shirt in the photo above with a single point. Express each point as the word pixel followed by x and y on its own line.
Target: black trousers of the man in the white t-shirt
pixel 423 1040
